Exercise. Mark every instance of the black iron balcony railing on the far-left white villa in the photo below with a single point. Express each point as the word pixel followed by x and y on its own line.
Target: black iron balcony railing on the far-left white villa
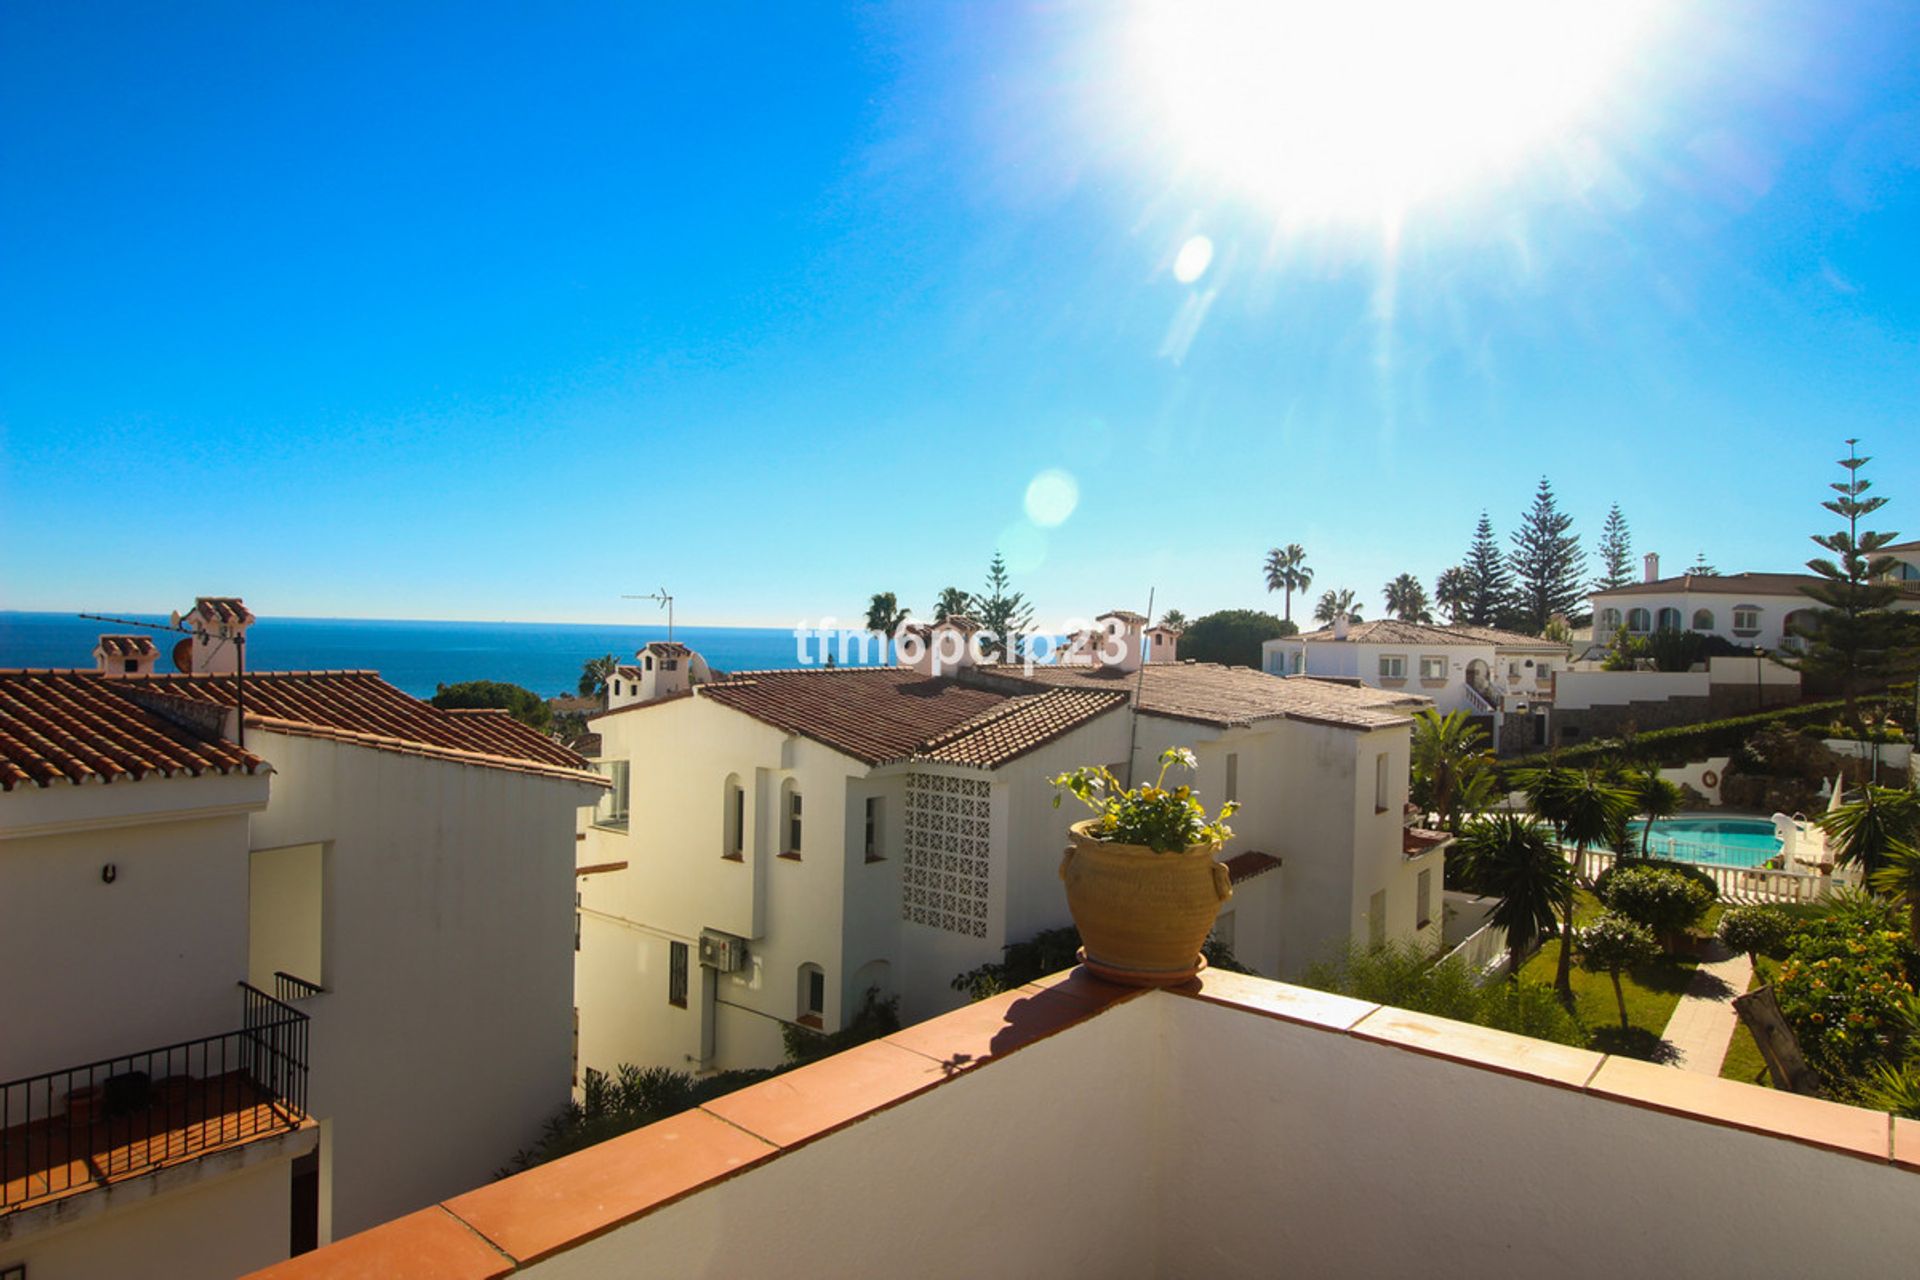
pixel 84 1127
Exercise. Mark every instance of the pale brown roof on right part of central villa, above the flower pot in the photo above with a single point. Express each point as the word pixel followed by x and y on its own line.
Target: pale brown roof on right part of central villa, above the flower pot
pixel 1226 696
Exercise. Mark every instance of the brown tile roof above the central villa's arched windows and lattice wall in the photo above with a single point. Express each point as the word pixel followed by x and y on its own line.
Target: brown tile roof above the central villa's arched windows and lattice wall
pixel 884 715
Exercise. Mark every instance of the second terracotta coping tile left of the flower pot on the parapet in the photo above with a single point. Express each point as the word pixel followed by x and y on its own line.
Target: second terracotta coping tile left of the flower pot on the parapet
pixel 815 1101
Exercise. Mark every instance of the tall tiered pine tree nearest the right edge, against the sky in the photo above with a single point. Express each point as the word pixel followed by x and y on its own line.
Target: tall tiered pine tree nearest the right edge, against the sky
pixel 1854 632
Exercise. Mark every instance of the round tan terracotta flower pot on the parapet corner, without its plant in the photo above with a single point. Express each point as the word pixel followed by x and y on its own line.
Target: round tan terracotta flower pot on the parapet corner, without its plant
pixel 1143 916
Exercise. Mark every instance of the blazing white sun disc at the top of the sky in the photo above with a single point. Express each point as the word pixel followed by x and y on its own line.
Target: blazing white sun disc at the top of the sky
pixel 1366 108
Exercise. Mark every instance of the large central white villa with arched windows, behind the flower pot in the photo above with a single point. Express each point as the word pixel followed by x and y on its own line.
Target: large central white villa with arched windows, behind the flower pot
pixel 782 843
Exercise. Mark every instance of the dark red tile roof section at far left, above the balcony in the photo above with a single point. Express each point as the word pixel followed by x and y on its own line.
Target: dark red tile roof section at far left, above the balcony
pixel 74 726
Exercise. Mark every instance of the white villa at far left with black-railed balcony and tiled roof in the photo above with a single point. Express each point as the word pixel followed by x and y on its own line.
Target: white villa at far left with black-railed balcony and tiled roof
pixel 272 978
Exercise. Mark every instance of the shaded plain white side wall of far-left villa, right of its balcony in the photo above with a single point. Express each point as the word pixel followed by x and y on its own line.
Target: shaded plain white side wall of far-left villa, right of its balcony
pixel 444 1037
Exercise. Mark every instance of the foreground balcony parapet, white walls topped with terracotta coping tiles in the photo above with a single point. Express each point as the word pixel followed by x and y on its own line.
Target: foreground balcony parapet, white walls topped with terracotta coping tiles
pixel 1234 1127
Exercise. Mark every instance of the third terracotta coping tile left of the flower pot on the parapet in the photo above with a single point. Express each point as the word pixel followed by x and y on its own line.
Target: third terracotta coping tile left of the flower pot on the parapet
pixel 575 1198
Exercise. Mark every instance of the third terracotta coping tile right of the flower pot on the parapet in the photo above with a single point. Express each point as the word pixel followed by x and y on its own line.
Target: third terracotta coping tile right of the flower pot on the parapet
pixel 1815 1122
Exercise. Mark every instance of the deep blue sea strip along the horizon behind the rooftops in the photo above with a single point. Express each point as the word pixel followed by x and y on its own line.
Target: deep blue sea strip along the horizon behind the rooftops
pixel 544 657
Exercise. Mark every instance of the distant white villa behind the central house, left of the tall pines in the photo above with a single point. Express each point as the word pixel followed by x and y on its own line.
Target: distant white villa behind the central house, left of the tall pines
pixel 1502 676
